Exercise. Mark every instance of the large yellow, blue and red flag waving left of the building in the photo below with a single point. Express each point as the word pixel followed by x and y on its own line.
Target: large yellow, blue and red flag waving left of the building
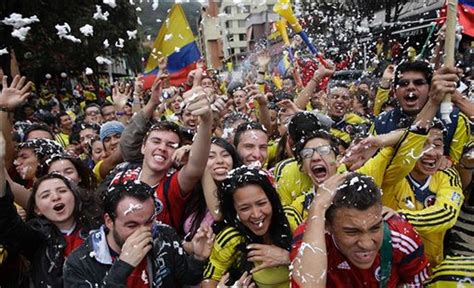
pixel 175 41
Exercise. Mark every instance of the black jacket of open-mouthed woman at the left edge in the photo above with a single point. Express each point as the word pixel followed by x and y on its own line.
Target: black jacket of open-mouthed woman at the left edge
pixel 38 240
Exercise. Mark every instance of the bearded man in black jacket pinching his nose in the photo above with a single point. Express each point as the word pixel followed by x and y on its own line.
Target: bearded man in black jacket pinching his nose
pixel 132 249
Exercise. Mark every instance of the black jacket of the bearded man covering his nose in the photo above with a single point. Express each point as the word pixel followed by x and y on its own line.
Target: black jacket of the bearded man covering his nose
pixel 168 265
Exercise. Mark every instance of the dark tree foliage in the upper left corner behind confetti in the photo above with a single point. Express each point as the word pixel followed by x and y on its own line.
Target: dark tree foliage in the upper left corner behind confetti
pixel 44 52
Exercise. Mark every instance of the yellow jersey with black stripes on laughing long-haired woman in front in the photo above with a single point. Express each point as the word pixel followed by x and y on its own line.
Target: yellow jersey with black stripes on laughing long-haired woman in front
pixel 225 252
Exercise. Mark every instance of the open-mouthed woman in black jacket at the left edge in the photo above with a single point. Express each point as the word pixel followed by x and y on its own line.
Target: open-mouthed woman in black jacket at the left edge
pixel 54 228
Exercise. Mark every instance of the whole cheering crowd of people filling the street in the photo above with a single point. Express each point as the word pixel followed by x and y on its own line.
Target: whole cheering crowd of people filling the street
pixel 261 182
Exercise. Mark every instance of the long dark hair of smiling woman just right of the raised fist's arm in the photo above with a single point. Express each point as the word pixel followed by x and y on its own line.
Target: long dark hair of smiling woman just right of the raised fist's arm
pixel 197 203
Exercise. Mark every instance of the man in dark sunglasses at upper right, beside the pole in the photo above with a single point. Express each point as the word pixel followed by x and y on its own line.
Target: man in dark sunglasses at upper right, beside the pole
pixel 411 87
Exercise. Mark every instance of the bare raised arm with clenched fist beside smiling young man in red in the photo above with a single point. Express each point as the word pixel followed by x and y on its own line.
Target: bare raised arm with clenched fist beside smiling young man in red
pixel 197 102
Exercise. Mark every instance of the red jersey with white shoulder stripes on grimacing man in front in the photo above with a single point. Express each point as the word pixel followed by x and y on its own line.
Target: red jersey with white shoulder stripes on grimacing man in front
pixel 409 263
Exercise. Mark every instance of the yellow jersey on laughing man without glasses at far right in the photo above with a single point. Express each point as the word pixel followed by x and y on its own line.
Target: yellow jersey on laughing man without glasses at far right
pixel 431 207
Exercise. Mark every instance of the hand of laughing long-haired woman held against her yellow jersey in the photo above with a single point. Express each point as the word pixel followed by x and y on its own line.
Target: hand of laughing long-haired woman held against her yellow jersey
pixel 268 256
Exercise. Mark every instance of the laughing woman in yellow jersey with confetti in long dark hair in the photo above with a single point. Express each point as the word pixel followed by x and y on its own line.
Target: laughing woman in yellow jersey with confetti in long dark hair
pixel 258 233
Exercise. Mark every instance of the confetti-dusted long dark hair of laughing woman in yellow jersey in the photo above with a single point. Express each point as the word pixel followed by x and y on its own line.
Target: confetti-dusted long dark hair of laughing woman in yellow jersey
pixel 279 231
